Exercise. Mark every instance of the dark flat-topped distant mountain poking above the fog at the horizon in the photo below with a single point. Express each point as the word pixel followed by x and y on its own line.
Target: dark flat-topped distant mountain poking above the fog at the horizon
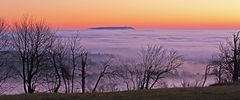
pixel 112 28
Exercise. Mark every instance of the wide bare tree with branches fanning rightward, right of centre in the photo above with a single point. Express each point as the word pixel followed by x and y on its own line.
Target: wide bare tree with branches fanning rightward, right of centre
pixel 157 62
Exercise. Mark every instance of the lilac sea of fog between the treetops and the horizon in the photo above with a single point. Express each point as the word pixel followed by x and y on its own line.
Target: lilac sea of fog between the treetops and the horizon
pixel 197 46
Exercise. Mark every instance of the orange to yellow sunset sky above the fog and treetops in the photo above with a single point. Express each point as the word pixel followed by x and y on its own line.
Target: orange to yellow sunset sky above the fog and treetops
pixel 136 13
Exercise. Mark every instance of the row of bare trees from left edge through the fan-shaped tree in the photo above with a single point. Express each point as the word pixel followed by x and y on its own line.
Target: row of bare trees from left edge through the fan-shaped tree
pixel 34 55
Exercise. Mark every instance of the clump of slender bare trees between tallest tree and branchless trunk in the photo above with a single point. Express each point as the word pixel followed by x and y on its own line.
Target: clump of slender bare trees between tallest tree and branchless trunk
pixel 65 56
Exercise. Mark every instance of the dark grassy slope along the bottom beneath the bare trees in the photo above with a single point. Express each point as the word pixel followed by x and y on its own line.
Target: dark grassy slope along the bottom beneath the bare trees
pixel 210 93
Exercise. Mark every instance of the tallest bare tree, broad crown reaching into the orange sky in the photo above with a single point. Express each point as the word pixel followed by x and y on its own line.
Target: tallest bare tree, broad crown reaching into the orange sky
pixel 31 39
